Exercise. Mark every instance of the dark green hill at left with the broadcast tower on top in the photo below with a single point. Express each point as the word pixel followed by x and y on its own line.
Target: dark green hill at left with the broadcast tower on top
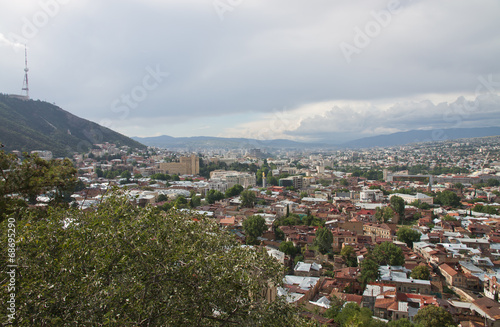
pixel 38 125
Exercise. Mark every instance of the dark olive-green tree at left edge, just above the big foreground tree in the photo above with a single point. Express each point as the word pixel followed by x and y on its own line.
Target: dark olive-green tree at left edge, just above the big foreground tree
pixel 33 176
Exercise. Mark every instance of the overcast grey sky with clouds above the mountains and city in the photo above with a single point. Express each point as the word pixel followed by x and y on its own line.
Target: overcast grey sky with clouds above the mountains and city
pixel 301 70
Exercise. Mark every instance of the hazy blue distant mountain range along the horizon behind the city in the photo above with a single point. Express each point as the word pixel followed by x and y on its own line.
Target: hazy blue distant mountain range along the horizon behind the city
pixel 401 138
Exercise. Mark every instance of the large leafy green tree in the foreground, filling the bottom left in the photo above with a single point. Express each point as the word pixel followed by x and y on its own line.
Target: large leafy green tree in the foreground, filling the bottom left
pixel 125 266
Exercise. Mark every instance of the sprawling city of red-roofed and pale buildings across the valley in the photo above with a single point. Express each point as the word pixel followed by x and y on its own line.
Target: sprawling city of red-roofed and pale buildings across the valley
pixel 435 203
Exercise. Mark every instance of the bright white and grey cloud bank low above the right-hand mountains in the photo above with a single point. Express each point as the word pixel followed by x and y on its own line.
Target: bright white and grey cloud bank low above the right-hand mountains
pixel 351 122
